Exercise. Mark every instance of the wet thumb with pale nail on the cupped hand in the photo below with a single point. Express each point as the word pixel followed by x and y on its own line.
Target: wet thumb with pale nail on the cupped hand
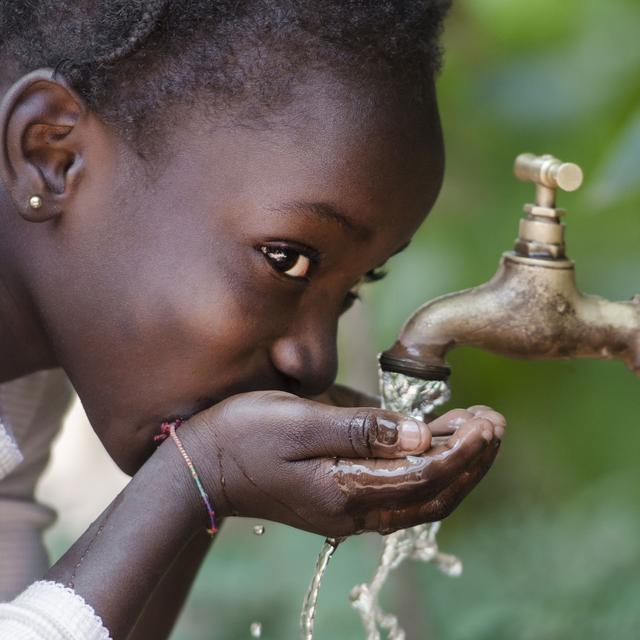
pixel 366 432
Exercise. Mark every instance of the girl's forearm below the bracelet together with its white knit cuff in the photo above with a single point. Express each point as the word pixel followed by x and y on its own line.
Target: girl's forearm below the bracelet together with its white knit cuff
pixel 113 569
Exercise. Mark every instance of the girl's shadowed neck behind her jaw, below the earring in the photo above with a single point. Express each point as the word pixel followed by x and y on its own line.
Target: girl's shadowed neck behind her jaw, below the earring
pixel 24 346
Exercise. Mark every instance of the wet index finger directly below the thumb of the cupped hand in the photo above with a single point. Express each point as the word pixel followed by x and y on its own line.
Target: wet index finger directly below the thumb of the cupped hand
pixel 415 477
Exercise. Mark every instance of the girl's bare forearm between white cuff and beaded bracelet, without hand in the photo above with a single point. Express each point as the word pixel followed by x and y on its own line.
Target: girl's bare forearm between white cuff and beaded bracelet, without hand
pixel 120 561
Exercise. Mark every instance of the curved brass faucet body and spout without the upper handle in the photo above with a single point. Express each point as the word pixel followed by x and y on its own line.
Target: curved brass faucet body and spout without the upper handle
pixel 530 309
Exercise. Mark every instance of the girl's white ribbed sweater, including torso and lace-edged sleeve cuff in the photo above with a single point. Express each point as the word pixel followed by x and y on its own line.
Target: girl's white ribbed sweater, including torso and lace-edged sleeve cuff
pixel 44 610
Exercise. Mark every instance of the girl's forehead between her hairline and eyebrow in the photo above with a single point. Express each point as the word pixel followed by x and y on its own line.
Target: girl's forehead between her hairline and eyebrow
pixel 367 152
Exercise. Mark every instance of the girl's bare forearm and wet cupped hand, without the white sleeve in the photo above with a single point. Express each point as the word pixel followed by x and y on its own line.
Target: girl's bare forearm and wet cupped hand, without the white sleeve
pixel 270 455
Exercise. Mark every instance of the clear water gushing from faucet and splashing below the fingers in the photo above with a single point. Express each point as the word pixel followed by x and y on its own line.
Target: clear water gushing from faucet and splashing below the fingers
pixel 415 398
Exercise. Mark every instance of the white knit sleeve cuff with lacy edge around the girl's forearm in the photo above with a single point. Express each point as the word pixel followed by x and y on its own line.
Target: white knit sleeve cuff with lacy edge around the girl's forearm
pixel 50 611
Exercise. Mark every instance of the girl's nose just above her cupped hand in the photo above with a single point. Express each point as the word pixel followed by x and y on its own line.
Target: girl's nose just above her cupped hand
pixel 307 356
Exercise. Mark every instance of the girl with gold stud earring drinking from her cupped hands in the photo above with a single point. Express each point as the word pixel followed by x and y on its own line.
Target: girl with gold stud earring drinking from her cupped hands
pixel 192 193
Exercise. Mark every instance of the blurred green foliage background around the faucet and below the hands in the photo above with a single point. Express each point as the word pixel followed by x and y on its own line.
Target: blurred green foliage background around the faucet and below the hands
pixel 550 539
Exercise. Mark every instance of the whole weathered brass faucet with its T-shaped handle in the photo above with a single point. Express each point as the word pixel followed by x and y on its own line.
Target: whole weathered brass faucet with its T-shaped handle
pixel 532 307
